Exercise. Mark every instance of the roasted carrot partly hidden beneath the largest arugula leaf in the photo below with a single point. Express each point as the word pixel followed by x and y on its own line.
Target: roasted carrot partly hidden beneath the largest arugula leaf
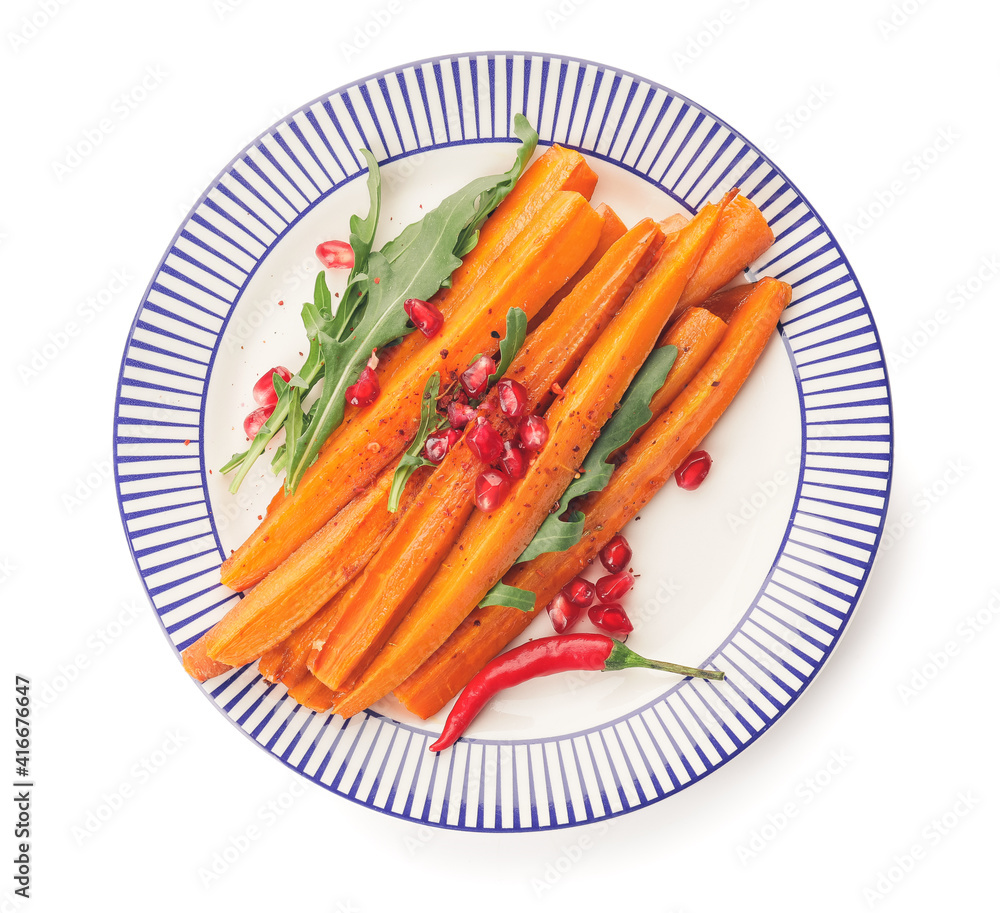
pixel 556 169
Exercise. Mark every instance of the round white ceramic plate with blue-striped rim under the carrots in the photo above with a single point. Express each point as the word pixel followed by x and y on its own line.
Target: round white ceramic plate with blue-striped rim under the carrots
pixel 756 573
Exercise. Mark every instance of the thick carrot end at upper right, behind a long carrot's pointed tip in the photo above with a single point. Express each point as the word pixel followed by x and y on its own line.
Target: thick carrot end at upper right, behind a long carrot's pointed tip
pixel 743 235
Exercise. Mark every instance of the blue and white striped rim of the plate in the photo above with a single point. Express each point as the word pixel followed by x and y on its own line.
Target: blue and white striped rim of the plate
pixel 804 603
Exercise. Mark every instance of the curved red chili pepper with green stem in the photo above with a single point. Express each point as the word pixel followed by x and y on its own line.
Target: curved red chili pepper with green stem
pixel 545 656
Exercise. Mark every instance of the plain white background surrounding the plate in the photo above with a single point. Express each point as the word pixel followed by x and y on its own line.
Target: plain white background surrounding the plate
pixel 875 791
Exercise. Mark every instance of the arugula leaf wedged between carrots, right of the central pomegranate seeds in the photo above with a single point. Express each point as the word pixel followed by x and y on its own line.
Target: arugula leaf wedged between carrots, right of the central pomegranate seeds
pixel 556 534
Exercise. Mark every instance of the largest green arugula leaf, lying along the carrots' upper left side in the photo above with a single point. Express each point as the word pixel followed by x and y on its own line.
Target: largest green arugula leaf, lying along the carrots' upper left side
pixel 414 268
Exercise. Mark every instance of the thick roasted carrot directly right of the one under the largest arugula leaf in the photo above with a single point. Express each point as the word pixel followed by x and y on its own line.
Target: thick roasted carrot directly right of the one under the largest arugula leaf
pixel 538 262
